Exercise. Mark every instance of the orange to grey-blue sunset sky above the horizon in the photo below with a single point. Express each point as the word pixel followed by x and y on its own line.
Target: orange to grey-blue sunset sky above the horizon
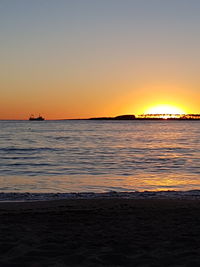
pixel 89 58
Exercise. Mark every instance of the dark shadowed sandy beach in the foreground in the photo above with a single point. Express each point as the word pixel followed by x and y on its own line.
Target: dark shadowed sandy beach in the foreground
pixel 100 232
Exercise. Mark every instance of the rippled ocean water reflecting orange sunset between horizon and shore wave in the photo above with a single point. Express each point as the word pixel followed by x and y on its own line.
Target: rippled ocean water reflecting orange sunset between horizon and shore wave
pixel 99 156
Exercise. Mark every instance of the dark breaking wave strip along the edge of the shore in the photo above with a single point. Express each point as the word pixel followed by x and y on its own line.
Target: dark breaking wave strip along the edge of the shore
pixel 16 197
